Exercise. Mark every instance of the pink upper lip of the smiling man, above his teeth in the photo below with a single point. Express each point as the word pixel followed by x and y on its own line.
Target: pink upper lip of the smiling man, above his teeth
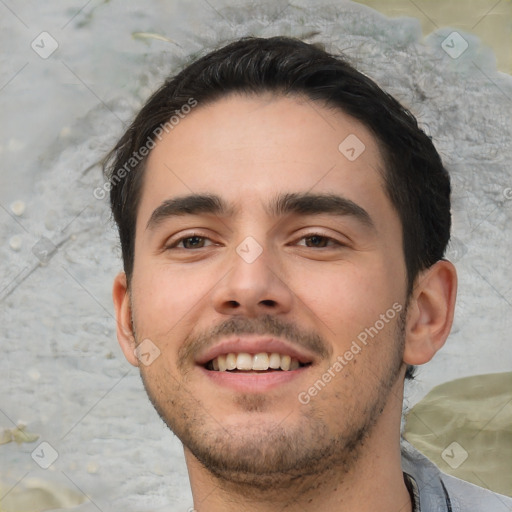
pixel 254 345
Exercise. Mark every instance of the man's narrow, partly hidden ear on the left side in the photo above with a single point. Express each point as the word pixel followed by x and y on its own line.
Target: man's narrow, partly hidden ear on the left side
pixel 125 337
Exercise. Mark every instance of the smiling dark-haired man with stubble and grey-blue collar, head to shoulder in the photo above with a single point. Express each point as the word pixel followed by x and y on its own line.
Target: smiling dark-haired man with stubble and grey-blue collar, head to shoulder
pixel 283 223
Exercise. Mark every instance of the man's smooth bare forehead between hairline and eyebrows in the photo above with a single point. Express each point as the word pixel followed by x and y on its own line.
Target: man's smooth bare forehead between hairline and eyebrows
pixel 248 148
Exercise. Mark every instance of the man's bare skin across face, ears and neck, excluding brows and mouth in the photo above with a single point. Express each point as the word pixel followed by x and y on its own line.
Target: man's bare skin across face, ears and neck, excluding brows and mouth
pixel 254 450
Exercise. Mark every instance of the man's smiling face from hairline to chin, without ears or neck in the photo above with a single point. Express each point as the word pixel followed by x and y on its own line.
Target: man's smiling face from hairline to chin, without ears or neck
pixel 271 272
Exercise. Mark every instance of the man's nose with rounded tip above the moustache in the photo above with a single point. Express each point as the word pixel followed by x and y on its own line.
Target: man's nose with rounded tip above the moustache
pixel 253 288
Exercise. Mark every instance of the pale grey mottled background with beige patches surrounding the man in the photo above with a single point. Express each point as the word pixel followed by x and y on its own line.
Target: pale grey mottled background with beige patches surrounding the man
pixel 76 429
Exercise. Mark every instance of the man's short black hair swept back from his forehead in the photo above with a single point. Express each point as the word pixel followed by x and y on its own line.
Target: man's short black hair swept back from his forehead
pixel 416 181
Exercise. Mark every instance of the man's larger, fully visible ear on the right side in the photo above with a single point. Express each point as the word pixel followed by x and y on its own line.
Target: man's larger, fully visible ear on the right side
pixel 430 312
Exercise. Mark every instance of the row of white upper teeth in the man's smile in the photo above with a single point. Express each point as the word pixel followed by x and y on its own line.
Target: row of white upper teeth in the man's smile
pixel 261 361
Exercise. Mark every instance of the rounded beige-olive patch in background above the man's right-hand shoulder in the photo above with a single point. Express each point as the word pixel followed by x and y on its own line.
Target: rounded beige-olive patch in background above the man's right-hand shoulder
pixel 465 428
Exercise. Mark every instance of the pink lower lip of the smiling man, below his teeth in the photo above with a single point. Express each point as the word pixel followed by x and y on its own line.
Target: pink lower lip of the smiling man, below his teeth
pixel 253 382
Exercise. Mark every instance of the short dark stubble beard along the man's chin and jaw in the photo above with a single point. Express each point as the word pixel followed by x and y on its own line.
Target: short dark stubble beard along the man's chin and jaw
pixel 261 454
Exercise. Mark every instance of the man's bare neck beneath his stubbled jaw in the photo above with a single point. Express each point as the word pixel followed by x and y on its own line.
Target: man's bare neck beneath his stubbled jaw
pixel 374 482
